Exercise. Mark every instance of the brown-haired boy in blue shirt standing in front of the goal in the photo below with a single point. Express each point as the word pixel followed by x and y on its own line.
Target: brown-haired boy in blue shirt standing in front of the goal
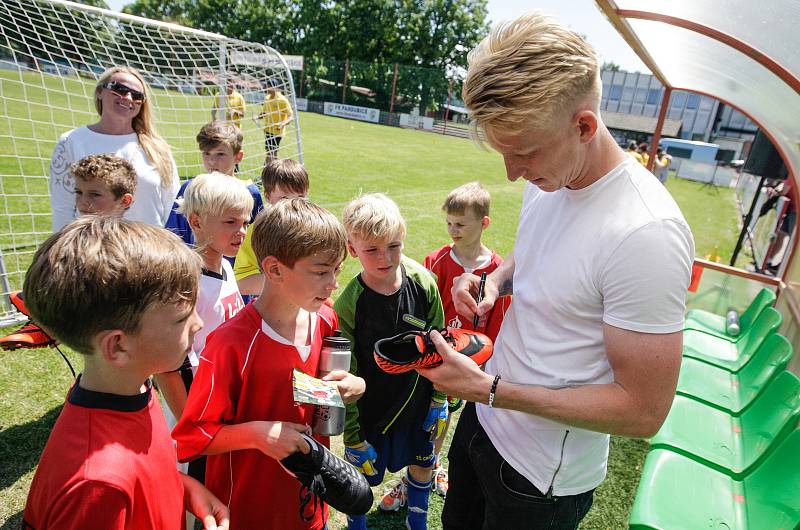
pixel 220 143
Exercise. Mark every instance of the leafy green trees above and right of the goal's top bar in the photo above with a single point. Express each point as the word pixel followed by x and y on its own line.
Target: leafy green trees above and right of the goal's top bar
pixel 425 37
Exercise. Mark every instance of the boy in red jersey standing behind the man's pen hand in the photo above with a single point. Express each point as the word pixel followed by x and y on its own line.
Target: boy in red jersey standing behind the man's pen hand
pixel 467 210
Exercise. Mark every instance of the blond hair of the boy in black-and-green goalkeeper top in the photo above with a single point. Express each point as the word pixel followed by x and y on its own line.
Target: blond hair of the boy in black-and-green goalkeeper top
pixel 373 217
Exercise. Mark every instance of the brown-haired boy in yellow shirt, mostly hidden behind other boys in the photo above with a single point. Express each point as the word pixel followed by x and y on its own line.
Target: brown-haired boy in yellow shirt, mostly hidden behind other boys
pixel 280 179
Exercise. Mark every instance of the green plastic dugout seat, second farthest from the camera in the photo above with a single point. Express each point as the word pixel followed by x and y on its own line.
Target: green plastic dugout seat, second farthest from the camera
pixel 731 356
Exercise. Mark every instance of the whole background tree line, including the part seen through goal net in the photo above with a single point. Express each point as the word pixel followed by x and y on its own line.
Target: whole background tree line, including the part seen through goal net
pixel 426 38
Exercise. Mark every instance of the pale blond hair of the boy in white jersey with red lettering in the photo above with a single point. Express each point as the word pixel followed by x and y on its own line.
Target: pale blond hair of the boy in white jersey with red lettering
pixel 213 193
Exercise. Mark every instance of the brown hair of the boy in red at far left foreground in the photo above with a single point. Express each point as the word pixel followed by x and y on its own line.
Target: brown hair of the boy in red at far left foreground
pixel 103 273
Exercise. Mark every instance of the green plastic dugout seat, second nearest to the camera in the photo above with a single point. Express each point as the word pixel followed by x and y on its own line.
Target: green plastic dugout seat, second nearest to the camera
pixel 730 443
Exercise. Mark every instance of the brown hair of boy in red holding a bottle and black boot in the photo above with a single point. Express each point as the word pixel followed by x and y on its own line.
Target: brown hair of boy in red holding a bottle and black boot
pixel 293 229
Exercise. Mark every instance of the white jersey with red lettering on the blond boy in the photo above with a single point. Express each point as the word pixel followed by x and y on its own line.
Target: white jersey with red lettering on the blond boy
pixel 218 300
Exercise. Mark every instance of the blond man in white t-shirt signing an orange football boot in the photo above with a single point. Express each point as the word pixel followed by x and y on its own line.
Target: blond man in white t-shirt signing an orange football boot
pixel 592 342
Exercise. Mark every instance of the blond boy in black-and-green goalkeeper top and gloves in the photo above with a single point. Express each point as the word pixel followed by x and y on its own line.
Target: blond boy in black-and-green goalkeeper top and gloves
pixel 395 423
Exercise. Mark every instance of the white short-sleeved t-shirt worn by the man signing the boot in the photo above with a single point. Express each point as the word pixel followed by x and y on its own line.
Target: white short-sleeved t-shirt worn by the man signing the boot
pixel 617 252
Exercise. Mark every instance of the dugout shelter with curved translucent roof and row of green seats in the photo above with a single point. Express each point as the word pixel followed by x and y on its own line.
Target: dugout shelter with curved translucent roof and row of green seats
pixel 726 456
